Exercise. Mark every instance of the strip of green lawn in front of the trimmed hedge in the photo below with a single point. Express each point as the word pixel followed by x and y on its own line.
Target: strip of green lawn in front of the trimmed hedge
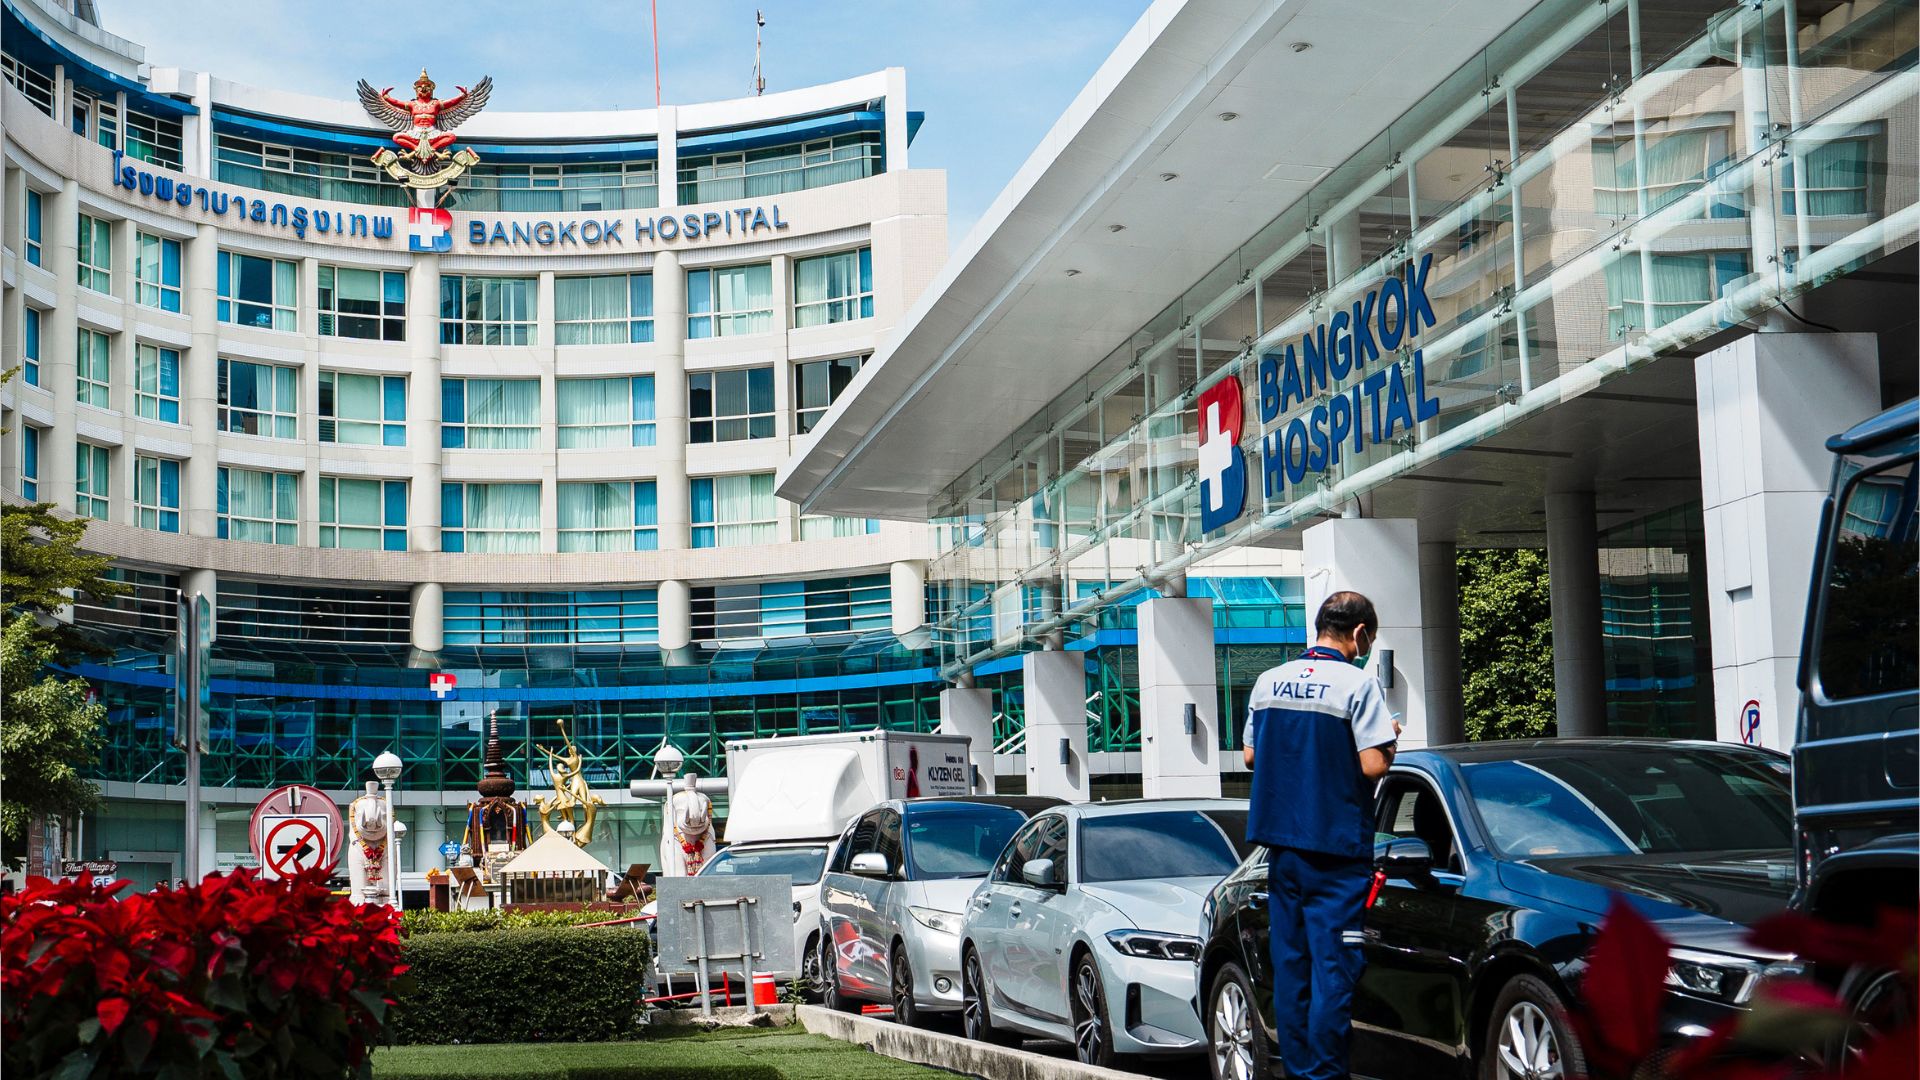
pixel 746 1054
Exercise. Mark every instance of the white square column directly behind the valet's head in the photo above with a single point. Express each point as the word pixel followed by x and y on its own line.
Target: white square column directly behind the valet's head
pixel 1378 558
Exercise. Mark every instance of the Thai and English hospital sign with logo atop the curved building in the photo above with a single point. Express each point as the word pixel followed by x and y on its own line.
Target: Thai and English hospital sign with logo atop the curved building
pixel 435 230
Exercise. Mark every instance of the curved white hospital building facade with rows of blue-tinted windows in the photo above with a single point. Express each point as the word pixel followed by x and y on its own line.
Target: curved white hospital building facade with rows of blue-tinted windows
pixel 508 456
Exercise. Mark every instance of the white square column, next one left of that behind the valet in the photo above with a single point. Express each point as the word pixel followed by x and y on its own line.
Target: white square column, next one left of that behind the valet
pixel 1178 672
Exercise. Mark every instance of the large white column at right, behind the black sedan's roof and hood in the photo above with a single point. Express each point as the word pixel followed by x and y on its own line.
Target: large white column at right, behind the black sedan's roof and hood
pixel 1767 405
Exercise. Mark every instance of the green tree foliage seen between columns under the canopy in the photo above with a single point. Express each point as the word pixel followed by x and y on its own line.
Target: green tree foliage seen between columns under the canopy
pixel 1506 641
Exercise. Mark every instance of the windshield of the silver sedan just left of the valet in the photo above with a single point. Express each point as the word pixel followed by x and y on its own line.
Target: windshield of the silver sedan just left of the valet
pixel 1161 845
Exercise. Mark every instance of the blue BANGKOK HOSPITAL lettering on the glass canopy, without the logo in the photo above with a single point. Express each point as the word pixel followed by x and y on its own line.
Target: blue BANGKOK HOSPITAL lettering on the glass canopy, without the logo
pixel 1368 412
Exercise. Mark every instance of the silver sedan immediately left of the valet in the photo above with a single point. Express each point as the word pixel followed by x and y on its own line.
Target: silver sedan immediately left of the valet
pixel 1086 929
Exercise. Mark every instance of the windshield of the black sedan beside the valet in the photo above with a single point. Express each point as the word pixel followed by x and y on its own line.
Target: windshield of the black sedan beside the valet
pixel 1629 802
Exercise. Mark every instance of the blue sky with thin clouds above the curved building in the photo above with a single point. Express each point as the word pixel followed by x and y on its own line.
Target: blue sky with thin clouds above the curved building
pixel 990 74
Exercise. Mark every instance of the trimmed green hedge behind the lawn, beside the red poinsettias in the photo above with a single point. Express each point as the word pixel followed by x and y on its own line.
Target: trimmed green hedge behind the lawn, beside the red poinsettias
pixel 525 985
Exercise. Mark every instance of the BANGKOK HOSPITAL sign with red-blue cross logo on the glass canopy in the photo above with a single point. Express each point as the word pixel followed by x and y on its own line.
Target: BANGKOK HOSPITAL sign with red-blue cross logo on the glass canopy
pixel 1358 401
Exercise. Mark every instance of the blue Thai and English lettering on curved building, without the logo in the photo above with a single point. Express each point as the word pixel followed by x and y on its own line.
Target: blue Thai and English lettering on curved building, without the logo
pixel 744 222
